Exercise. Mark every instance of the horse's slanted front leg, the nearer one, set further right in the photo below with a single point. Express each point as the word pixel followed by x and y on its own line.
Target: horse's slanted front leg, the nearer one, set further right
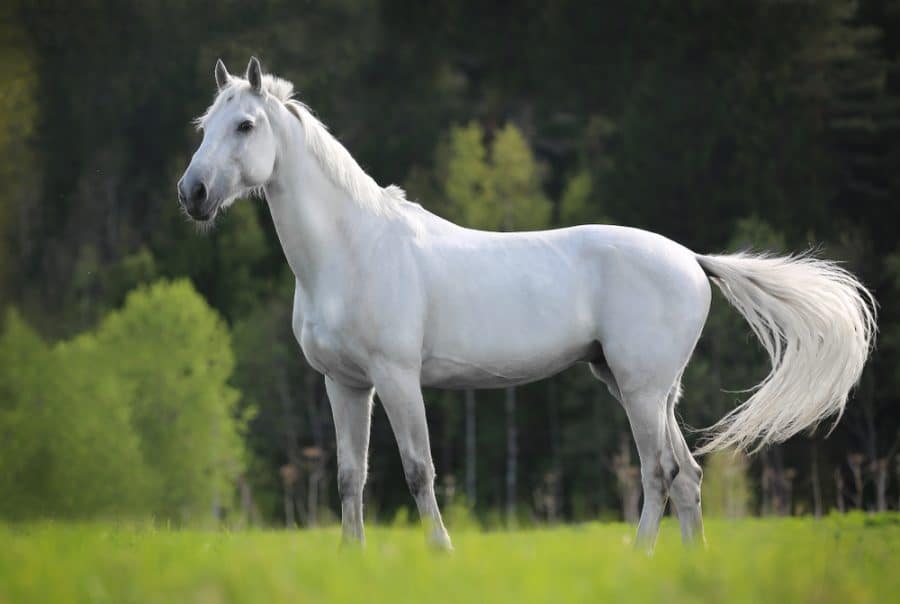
pixel 400 392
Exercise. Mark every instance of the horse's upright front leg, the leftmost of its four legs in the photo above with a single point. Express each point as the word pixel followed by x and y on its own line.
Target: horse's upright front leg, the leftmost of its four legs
pixel 352 411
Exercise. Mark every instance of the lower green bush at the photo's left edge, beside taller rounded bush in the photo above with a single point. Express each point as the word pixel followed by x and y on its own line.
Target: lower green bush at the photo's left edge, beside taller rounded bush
pixel 69 448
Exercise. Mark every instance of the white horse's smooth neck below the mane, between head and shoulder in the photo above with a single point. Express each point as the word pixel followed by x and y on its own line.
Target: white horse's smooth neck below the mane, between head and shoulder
pixel 317 222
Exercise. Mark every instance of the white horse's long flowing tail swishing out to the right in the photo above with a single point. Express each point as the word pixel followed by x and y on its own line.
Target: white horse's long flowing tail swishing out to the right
pixel 816 322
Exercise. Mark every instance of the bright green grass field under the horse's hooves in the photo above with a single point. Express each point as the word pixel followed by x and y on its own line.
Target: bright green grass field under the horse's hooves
pixel 839 559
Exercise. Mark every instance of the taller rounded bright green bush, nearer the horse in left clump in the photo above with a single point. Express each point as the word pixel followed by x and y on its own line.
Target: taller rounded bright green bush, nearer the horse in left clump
pixel 176 355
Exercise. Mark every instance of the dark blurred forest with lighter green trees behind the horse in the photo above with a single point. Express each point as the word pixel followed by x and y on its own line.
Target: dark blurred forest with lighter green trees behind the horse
pixel 753 124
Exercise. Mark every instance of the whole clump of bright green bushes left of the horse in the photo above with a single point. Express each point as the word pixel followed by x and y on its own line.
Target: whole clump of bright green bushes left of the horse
pixel 135 418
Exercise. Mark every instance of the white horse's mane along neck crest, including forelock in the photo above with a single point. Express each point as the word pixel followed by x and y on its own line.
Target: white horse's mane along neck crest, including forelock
pixel 334 159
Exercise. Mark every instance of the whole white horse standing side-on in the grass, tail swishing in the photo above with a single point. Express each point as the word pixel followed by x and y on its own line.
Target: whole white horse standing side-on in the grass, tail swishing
pixel 390 298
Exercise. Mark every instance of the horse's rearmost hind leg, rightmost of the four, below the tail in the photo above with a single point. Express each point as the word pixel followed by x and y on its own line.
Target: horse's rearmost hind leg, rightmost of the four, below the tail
pixel 685 489
